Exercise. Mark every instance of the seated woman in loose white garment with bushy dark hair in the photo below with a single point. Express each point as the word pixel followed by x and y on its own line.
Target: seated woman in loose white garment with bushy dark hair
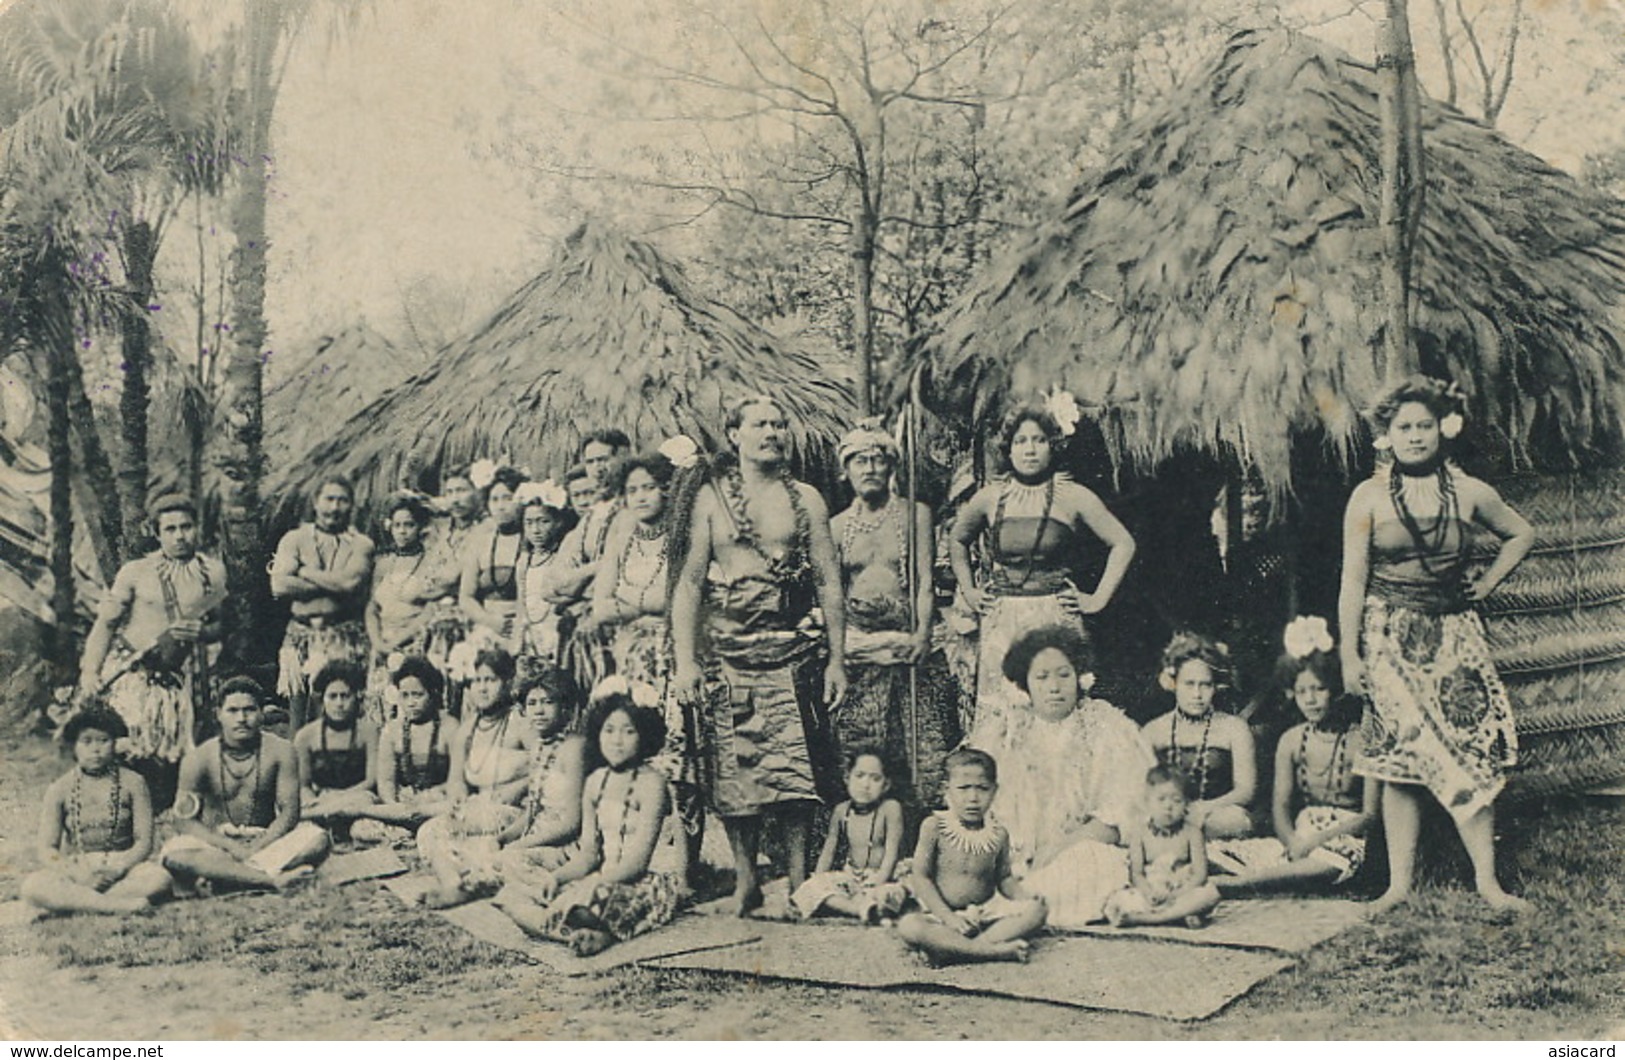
pixel 1072 780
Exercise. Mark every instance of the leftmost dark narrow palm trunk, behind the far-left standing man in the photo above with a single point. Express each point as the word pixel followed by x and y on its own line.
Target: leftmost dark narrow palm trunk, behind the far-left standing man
pixel 59 355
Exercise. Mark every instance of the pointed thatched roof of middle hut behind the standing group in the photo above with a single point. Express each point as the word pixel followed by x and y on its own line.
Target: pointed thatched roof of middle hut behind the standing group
pixel 609 334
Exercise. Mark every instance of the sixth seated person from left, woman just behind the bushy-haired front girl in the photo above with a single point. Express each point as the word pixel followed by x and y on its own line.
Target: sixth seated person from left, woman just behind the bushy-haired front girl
pixel 542 836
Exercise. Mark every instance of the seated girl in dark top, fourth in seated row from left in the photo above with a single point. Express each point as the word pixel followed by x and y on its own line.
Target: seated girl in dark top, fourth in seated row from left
pixel 415 755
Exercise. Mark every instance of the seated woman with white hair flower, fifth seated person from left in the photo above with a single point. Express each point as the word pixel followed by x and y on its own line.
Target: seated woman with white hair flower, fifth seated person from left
pixel 488 780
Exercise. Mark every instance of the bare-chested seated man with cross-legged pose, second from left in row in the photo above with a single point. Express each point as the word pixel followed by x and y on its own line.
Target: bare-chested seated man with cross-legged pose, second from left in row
pixel 238 807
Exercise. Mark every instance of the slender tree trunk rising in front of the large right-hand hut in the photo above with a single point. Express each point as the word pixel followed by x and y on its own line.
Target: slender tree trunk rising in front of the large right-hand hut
pixel 1400 219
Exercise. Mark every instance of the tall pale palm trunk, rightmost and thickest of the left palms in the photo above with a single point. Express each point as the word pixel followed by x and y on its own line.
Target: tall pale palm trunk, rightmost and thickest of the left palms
pixel 238 440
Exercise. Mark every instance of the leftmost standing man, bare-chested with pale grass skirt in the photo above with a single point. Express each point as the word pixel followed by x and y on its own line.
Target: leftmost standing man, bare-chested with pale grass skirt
pixel 150 651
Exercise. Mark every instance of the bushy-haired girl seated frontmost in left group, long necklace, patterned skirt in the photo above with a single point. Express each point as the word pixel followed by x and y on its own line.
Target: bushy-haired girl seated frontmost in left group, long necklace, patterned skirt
pixel 626 875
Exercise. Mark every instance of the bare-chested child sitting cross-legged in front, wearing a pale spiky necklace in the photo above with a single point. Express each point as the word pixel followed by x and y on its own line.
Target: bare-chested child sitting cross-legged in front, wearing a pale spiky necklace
pixel 976 910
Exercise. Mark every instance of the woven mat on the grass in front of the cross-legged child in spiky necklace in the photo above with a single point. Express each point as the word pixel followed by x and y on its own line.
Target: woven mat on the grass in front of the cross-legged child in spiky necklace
pixel 1153 978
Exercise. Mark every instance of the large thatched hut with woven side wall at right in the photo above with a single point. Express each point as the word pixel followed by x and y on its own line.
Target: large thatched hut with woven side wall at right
pixel 1211 298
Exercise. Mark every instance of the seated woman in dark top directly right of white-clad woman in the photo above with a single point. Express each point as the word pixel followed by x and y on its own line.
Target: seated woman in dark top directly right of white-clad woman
pixel 1213 750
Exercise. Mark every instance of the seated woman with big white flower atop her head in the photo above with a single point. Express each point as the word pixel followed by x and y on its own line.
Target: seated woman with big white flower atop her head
pixel 1325 840
